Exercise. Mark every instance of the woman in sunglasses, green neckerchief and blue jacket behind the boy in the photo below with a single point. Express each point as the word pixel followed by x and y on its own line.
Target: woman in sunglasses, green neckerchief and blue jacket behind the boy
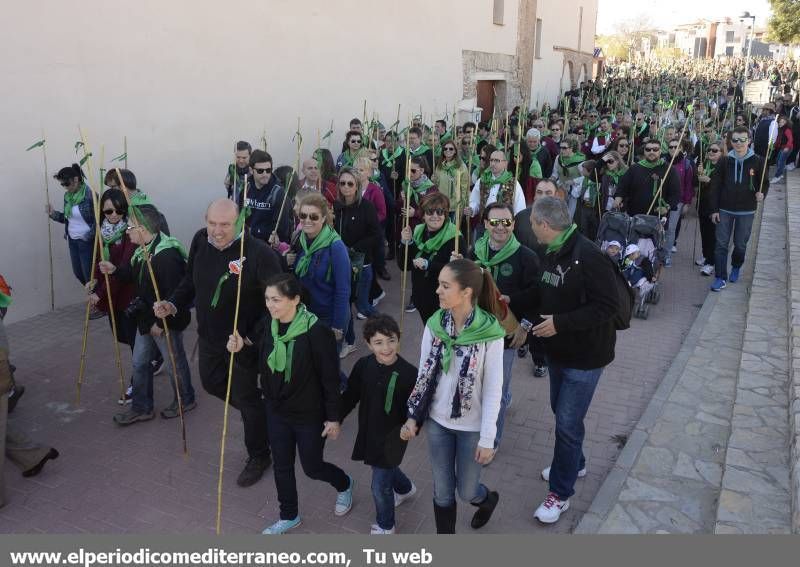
pixel 321 263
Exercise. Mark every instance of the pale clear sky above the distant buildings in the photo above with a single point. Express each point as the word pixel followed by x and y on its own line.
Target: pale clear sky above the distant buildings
pixel 668 13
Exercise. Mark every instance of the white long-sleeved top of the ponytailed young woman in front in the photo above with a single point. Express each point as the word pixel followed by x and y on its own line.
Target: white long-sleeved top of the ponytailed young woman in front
pixel 488 390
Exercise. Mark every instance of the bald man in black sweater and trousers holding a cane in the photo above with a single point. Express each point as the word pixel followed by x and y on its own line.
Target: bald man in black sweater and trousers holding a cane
pixel 211 282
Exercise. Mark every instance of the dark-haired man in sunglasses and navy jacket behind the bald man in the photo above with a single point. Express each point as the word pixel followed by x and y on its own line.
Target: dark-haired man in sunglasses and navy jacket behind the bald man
pixel 264 198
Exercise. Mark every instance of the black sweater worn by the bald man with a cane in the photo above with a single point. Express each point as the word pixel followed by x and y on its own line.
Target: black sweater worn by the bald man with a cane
pixel 205 267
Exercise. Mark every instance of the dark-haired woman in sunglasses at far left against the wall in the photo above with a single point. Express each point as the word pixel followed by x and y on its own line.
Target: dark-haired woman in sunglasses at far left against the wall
pixel 78 220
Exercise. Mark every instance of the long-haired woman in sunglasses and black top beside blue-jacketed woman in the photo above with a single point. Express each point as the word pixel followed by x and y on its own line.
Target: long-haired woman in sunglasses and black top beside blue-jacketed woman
pixel 357 224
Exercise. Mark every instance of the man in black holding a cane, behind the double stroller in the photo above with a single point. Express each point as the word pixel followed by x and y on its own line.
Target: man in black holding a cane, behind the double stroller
pixel 639 187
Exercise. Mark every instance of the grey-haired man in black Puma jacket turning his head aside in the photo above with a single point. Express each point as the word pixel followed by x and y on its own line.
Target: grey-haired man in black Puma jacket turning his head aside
pixel 575 303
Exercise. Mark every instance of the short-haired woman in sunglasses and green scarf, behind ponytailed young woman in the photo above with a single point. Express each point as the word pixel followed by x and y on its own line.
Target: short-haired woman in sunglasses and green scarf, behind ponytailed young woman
pixel 430 245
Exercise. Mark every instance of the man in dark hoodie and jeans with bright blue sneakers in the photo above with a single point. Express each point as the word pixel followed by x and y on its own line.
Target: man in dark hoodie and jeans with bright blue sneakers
pixel 735 192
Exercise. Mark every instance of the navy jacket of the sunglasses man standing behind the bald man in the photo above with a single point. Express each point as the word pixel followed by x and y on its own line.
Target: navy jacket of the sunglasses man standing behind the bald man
pixel 265 203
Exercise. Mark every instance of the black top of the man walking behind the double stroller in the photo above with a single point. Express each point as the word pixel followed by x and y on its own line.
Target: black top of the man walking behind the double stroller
pixel 636 188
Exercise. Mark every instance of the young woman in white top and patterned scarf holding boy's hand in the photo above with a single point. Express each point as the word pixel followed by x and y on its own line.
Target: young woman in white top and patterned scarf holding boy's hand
pixel 458 391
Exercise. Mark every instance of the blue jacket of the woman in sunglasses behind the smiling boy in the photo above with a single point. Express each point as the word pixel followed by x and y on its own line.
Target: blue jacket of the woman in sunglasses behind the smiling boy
pixel 330 296
